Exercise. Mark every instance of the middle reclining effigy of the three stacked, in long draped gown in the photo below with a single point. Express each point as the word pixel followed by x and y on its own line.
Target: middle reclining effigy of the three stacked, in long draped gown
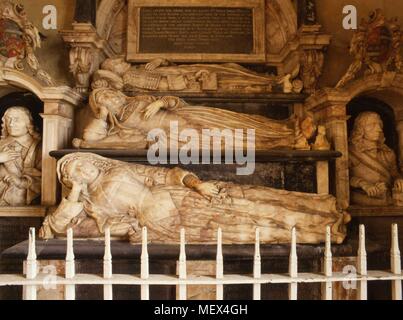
pixel 122 122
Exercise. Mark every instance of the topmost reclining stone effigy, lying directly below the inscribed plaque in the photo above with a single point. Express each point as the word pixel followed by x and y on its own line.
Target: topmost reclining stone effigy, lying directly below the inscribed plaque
pixel 162 75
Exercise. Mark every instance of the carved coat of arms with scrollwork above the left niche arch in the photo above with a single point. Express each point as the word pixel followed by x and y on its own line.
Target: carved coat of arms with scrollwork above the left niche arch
pixel 19 39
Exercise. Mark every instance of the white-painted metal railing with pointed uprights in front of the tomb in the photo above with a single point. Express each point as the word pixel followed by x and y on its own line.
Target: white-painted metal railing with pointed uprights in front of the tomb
pixel 33 279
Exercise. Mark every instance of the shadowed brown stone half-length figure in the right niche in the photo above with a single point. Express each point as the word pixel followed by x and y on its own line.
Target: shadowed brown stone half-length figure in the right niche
pixel 374 175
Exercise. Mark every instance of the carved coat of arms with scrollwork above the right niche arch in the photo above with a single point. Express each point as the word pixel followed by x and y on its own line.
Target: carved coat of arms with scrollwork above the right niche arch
pixel 375 46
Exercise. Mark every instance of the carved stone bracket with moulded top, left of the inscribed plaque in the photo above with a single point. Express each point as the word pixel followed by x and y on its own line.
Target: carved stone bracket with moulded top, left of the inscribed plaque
pixel 87 49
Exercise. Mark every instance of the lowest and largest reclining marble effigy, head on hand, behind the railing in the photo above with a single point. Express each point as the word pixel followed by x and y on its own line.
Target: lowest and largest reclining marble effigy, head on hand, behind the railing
pixel 105 193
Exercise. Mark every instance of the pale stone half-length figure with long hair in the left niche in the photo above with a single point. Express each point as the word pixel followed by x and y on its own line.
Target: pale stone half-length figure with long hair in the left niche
pixel 20 159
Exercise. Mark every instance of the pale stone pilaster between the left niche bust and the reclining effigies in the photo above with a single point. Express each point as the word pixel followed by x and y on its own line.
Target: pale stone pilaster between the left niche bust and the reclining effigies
pixel 57 134
